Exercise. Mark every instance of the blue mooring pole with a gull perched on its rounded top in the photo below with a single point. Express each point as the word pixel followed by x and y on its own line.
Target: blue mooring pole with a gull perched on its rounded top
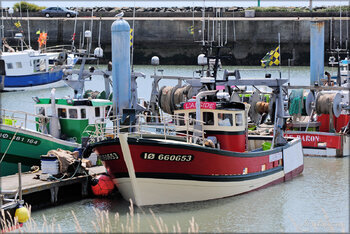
pixel 121 65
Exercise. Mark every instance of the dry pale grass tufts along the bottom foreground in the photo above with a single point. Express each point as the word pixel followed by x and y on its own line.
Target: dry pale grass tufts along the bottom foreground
pixel 103 222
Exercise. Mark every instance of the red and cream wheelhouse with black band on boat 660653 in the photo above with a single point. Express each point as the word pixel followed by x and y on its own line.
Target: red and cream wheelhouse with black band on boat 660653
pixel 223 123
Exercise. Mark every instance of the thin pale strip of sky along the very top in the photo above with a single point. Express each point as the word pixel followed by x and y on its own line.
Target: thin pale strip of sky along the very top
pixel 179 3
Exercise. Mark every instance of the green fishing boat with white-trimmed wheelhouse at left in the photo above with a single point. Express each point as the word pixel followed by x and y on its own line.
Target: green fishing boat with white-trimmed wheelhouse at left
pixel 58 123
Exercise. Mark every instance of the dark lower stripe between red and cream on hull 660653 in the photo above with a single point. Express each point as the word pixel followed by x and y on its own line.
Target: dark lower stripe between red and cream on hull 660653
pixel 216 178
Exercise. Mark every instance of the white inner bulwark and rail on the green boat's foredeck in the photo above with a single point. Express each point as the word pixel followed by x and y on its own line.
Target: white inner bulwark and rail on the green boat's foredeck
pixel 18 118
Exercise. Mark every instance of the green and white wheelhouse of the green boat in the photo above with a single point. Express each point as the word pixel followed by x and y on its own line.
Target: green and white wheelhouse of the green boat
pixel 76 116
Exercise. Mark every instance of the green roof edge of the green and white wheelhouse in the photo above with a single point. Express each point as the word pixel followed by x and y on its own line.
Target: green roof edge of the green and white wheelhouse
pixel 75 102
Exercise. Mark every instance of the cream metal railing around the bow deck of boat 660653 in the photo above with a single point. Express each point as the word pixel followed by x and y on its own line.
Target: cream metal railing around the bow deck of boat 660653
pixel 164 126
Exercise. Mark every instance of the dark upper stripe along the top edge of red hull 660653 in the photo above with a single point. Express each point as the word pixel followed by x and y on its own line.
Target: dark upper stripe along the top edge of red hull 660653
pixel 147 142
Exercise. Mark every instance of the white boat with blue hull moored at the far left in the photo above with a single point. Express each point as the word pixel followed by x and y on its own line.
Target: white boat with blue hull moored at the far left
pixel 30 69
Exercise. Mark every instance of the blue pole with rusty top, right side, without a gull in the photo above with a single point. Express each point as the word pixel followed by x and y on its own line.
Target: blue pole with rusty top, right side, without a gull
pixel 316 51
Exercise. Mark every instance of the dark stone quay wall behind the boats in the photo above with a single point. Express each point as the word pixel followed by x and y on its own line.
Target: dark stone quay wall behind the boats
pixel 170 38
